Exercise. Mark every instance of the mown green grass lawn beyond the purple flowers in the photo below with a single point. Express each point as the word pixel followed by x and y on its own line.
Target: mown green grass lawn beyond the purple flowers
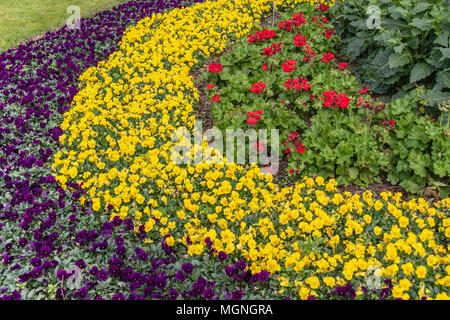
pixel 23 20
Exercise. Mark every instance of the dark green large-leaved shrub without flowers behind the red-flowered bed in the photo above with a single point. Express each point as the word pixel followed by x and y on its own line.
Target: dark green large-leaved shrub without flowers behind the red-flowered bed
pixel 411 46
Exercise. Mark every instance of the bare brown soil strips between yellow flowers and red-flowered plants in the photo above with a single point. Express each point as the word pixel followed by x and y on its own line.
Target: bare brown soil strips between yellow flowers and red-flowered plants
pixel 203 114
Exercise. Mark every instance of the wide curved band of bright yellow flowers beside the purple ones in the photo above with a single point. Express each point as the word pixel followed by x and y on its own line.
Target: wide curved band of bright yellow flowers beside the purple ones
pixel 117 142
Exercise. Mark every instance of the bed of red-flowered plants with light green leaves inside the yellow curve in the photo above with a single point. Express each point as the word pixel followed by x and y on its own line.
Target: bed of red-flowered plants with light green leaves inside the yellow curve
pixel 328 124
